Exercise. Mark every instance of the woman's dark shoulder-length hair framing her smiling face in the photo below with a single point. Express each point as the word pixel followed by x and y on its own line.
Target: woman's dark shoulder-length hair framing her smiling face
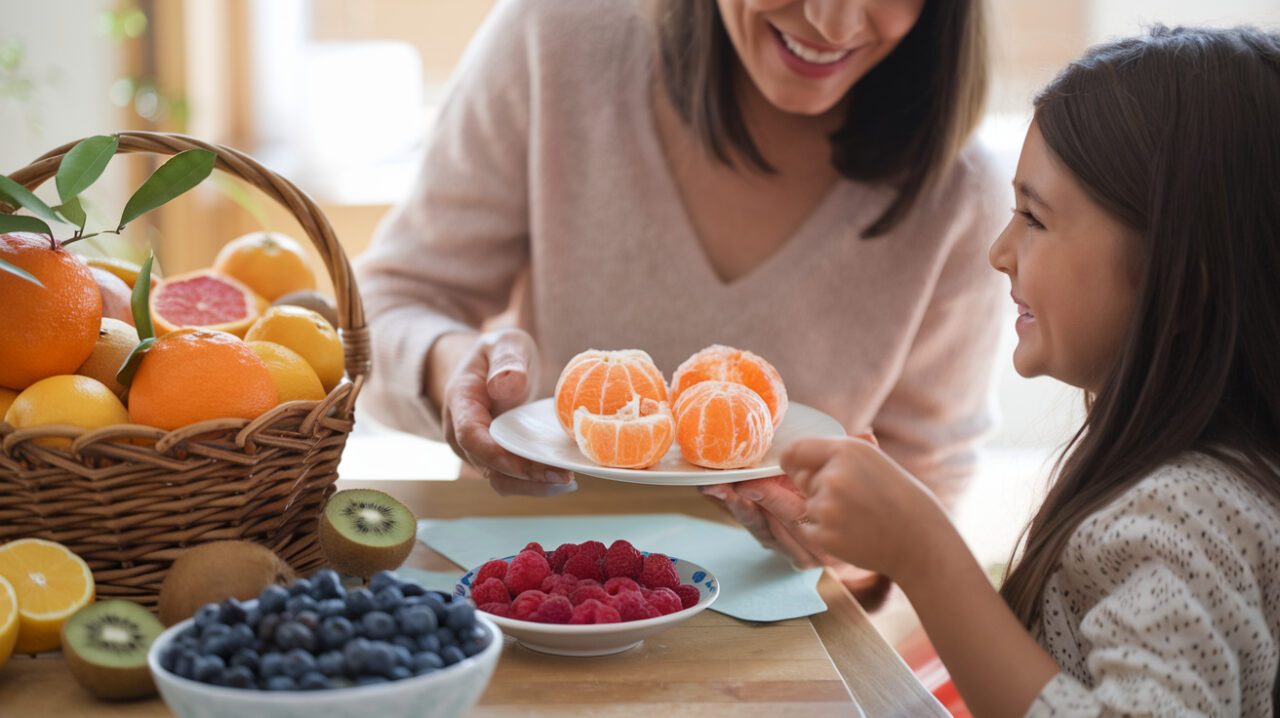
pixel 907 120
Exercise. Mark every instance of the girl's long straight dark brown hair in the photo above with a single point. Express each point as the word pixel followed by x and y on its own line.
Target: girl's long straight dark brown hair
pixel 1176 134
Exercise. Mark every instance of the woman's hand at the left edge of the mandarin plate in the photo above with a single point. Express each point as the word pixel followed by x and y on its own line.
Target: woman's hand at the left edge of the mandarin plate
pixel 484 379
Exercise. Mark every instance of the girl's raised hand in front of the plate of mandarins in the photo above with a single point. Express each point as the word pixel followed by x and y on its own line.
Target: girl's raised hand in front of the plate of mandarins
pixel 862 507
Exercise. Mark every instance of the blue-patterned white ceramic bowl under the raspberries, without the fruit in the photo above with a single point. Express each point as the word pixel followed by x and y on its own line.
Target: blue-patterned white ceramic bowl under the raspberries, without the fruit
pixel 600 639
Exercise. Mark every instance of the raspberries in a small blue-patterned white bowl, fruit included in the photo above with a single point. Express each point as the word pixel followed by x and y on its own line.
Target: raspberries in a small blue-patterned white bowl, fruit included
pixel 589 598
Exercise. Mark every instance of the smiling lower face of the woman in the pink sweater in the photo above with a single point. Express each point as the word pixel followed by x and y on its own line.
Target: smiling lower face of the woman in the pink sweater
pixel 804 56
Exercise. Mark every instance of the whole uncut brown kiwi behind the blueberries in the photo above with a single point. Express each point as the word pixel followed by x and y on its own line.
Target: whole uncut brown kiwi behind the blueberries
pixel 218 571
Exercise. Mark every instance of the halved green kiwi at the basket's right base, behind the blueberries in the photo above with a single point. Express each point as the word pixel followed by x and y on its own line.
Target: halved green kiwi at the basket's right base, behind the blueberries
pixel 364 532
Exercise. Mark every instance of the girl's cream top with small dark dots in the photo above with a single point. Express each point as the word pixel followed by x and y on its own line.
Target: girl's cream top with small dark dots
pixel 1168 602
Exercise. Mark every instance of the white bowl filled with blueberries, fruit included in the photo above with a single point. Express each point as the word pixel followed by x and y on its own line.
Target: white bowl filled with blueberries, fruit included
pixel 314 650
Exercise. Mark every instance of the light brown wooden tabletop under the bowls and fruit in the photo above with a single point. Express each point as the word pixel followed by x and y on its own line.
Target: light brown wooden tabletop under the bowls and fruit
pixel 835 664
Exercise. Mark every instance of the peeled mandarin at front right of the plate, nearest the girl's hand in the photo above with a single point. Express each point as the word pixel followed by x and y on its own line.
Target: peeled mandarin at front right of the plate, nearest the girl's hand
pixel 723 426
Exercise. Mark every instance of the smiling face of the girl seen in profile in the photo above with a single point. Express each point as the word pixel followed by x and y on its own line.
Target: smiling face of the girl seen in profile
pixel 1075 272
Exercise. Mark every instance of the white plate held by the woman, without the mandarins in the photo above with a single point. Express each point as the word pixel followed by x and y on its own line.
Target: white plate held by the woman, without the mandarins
pixel 533 432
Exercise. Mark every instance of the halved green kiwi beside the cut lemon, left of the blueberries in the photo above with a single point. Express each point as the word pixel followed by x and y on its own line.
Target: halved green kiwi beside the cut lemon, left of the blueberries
pixel 106 646
